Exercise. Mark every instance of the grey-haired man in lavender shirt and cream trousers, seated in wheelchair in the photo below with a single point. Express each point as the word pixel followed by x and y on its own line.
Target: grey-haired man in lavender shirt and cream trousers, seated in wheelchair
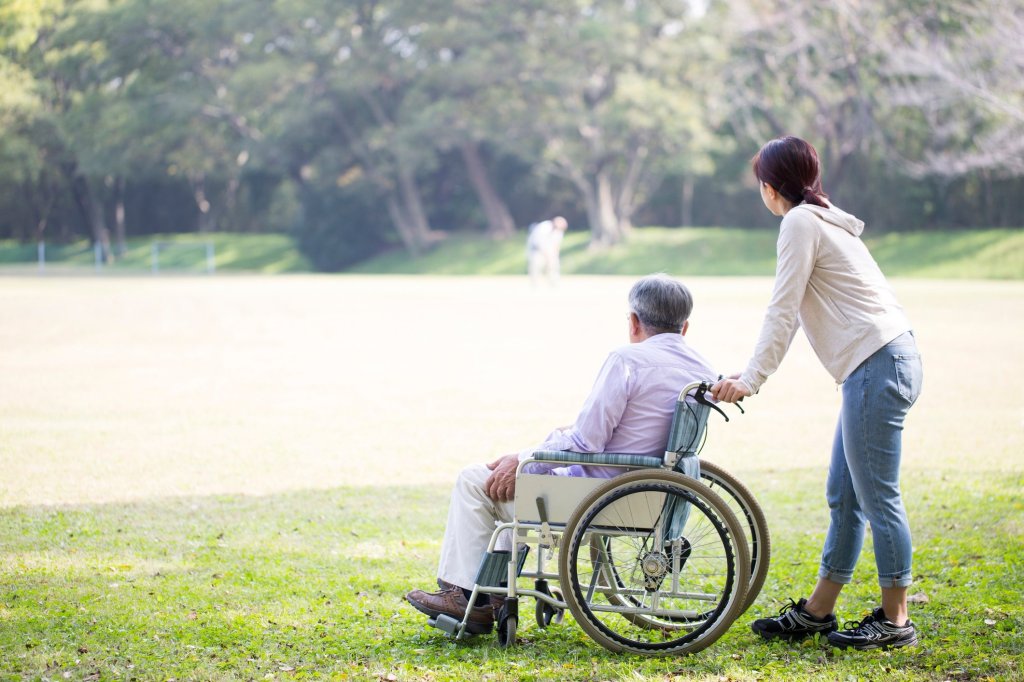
pixel 629 410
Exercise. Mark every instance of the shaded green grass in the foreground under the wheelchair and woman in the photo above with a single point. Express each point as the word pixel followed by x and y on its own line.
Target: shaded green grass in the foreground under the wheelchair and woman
pixel 310 586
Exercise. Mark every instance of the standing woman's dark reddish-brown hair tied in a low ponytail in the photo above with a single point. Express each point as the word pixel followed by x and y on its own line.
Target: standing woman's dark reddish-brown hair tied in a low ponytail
pixel 791 165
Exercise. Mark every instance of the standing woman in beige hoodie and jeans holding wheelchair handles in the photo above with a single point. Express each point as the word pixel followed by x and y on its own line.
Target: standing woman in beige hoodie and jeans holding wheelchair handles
pixel 828 284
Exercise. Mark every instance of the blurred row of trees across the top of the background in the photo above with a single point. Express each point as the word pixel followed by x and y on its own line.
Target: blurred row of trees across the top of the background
pixel 370 124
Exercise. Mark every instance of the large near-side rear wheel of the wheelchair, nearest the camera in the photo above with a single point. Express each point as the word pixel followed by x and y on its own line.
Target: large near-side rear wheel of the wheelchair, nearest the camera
pixel 656 564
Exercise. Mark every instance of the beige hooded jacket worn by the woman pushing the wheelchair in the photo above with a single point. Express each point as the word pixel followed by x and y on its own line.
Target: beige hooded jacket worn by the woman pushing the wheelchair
pixel 827 283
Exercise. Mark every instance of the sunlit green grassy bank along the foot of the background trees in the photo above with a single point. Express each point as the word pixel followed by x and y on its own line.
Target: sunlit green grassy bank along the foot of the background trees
pixel 985 254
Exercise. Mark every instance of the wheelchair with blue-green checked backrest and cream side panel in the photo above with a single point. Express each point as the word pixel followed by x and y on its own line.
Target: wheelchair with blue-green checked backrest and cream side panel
pixel 658 561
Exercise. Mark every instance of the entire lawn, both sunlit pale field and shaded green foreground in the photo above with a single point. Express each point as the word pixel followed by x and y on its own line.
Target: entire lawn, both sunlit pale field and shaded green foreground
pixel 239 477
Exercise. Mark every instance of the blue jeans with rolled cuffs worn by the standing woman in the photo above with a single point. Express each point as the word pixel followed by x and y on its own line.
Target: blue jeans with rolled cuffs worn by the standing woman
pixel 864 476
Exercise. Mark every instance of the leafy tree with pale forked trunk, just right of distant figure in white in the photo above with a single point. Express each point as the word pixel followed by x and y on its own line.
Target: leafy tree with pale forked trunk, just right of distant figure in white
pixel 605 100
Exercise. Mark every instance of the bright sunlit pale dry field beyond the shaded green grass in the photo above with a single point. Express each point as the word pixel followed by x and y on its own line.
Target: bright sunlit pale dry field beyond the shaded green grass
pixel 124 389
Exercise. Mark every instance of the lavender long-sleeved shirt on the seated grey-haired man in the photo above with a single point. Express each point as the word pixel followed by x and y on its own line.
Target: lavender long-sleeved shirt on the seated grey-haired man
pixel 631 406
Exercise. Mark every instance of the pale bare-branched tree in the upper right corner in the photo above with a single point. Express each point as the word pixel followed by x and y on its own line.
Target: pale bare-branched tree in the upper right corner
pixel 955 98
